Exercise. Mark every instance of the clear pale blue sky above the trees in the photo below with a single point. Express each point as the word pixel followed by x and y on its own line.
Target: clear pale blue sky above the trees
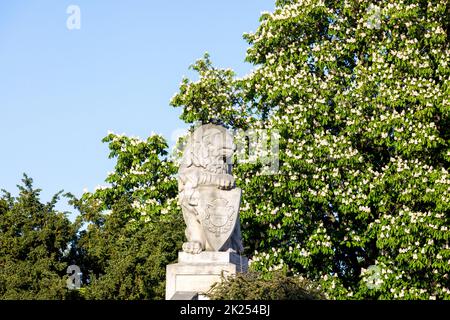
pixel 61 90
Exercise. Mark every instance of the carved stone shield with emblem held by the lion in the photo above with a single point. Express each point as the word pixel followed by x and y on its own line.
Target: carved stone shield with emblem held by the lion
pixel 219 211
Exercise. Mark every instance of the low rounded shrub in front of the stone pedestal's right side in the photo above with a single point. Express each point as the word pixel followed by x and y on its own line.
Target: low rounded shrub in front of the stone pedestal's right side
pixel 272 286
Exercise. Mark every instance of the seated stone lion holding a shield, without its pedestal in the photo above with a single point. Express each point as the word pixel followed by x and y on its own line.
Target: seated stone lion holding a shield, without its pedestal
pixel 207 192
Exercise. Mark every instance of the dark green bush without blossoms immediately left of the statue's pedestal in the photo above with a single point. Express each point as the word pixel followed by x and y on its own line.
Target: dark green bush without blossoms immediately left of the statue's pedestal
pixel 131 259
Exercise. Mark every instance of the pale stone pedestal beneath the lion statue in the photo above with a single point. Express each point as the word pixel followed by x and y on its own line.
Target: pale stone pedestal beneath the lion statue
pixel 196 273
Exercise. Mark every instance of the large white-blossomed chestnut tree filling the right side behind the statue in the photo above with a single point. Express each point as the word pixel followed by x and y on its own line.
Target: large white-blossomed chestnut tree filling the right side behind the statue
pixel 359 94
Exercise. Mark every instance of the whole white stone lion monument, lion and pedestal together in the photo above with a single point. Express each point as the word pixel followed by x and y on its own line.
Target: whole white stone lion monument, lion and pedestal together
pixel 210 202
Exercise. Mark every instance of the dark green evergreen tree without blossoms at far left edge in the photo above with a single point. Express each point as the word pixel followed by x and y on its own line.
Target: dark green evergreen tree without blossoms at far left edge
pixel 34 239
